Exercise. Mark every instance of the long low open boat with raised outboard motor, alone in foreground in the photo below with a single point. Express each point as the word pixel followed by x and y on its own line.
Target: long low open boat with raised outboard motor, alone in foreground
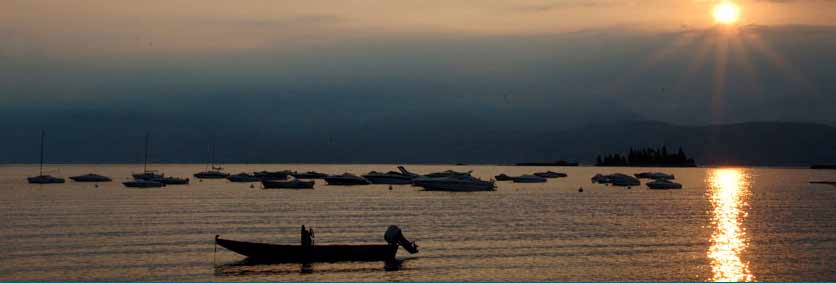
pixel 321 253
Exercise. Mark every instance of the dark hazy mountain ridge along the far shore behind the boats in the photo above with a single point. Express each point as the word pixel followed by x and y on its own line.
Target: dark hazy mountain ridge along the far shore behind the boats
pixel 750 143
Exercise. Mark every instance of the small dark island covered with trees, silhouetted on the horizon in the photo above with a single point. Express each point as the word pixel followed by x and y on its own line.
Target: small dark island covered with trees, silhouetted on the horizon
pixel 647 157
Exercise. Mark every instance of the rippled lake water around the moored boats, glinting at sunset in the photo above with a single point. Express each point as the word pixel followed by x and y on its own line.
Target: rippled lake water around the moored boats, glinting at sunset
pixel 726 224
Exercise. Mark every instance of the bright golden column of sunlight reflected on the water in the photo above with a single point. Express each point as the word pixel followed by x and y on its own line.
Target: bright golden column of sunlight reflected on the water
pixel 728 193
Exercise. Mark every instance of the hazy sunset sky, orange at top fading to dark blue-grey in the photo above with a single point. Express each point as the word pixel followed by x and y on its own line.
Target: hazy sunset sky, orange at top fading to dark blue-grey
pixel 315 70
